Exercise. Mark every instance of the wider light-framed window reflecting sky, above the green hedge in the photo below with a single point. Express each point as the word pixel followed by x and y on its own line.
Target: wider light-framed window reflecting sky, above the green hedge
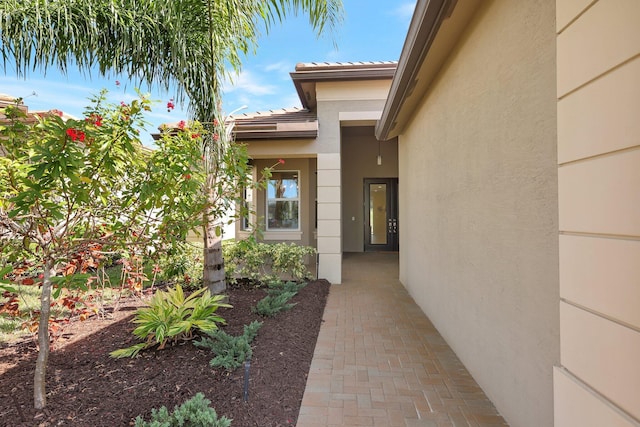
pixel 283 201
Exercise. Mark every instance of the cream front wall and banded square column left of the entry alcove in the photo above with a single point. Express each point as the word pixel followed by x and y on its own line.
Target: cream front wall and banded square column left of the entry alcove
pixel 339 103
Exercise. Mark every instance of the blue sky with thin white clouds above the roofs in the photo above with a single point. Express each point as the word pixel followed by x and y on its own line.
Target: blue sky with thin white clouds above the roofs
pixel 373 30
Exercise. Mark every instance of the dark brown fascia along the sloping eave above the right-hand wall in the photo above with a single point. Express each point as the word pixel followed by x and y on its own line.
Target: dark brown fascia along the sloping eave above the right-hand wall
pixel 427 19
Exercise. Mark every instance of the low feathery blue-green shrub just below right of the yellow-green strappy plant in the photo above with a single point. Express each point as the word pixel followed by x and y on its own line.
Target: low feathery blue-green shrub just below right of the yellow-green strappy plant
pixel 231 352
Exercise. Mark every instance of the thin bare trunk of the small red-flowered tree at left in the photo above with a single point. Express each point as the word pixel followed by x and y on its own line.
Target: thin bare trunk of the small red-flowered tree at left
pixel 39 377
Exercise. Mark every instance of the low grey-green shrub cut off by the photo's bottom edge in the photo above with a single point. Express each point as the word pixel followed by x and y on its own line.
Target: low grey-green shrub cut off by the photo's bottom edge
pixel 195 412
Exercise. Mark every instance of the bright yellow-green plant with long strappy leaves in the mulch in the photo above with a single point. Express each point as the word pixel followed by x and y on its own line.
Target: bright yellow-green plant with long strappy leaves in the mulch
pixel 170 317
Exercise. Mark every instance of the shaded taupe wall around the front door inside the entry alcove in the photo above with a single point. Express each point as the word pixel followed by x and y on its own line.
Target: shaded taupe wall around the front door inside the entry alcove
pixel 359 161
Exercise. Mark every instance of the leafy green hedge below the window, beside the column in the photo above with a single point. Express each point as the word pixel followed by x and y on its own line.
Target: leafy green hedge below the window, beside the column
pixel 262 261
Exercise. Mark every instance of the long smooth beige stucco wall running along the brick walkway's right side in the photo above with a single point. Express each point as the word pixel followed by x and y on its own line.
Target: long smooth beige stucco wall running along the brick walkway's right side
pixel 478 206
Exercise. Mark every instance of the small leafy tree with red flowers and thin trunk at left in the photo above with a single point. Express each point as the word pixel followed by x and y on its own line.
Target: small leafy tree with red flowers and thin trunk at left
pixel 70 190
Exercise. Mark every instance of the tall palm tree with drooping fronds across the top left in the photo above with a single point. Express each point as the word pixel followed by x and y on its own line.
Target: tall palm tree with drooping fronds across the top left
pixel 193 44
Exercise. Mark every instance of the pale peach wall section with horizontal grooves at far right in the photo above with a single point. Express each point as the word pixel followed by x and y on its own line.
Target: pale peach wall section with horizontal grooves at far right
pixel 598 380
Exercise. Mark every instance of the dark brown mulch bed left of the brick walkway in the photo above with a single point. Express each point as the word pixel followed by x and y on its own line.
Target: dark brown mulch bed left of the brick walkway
pixel 88 388
